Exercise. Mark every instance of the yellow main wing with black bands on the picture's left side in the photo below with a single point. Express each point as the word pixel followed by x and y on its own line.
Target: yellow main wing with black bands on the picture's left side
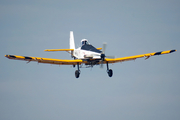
pixel 45 60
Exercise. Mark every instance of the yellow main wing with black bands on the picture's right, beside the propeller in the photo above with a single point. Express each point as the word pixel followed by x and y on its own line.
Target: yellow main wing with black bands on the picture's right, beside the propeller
pixel 122 59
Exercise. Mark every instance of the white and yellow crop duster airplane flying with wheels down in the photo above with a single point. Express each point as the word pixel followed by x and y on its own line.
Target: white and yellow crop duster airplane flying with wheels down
pixel 86 55
